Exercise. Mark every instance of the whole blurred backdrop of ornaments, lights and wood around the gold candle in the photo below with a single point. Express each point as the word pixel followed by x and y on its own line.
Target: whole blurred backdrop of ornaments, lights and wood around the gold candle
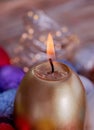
pixel 24 26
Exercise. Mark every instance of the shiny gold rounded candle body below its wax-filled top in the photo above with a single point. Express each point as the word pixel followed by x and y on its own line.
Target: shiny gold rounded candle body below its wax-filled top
pixel 51 105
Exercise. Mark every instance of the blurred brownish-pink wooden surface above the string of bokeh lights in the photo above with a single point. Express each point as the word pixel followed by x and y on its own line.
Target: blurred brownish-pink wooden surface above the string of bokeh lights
pixel 77 15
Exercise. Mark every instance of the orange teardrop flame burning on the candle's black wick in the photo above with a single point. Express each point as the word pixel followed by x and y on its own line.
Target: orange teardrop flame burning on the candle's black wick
pixel 50 47
